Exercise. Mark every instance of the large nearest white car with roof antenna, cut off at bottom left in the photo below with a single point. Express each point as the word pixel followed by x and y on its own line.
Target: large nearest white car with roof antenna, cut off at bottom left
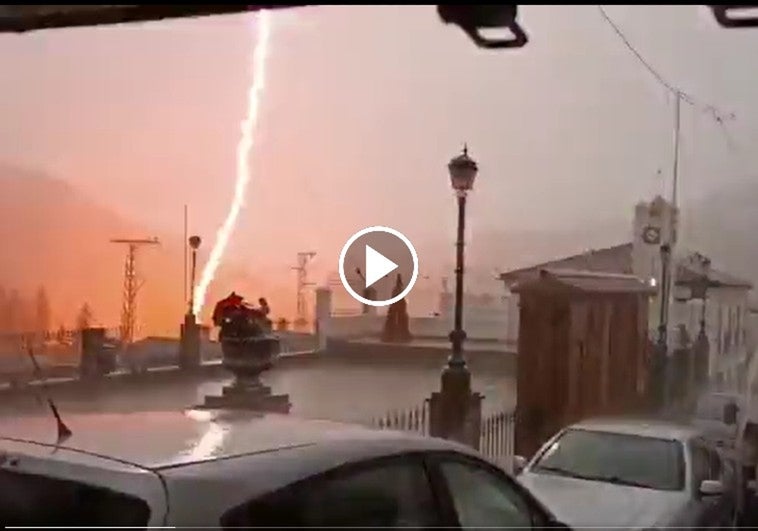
pixel 223 470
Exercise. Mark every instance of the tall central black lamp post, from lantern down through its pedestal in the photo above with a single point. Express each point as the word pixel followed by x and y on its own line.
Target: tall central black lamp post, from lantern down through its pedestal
pixel 455 410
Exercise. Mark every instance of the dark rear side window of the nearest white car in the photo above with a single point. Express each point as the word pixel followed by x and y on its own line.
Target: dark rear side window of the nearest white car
pixel 394 493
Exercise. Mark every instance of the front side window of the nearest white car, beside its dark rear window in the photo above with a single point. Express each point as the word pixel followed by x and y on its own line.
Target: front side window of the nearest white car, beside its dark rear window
pixel 484 499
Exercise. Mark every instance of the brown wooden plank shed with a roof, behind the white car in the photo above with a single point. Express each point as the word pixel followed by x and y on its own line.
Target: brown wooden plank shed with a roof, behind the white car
pixel 582 350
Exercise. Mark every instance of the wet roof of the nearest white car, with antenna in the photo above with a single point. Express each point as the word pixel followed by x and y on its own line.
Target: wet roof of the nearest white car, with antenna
pixel 165 439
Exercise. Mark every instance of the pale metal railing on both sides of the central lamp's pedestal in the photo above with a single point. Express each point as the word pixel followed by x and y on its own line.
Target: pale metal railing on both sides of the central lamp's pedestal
pixel 496 434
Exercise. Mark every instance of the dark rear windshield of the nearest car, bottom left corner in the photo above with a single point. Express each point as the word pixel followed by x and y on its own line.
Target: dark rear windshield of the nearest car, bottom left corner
pixel 29 500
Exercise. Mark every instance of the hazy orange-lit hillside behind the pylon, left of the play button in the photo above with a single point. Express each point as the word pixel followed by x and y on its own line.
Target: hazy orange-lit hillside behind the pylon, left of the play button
pixel 53 235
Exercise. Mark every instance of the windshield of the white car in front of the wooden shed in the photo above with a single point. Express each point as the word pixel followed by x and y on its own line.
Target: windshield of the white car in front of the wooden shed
pixel 615 458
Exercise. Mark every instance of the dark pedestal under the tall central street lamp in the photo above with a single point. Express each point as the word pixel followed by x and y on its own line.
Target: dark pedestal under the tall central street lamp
pixel 455 411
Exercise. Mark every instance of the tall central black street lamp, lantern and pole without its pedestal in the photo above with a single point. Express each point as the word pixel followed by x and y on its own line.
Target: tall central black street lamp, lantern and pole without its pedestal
pixel 463 171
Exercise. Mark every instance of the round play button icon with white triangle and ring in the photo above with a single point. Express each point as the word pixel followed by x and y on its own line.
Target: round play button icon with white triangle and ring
pixel 378 266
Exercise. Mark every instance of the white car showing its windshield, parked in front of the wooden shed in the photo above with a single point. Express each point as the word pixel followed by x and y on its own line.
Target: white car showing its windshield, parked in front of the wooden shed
pixel 632 474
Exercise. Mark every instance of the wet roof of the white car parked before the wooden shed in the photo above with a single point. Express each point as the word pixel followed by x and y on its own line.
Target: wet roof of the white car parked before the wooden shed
pixel 641 426
